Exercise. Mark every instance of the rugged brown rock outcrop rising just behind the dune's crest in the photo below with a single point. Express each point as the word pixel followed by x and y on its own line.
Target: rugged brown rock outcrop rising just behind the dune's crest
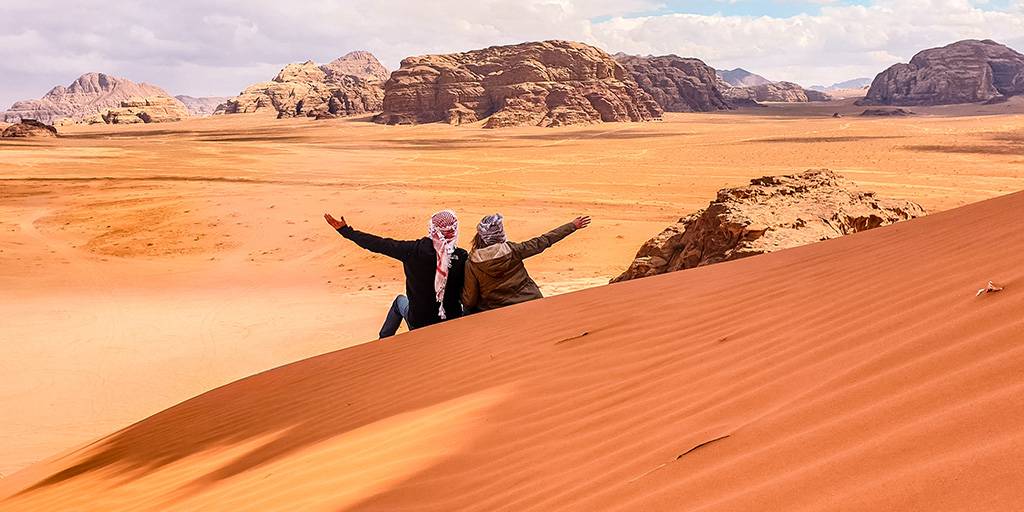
pixel 773 214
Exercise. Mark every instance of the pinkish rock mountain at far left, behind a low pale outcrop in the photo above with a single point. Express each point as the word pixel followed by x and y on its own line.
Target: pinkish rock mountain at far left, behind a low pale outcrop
pixel 91 95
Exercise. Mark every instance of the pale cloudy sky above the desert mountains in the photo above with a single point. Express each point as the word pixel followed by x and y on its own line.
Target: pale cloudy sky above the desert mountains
pixel 218 48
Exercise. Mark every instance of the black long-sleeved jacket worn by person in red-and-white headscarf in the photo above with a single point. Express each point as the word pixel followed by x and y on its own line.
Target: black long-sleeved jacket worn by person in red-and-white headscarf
pixel 420 262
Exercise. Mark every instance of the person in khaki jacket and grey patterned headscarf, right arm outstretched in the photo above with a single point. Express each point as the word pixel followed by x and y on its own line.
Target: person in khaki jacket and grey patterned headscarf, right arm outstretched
pixel 496 276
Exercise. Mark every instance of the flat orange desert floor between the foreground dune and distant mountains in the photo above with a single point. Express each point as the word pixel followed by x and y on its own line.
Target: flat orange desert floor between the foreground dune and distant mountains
pixel 145 266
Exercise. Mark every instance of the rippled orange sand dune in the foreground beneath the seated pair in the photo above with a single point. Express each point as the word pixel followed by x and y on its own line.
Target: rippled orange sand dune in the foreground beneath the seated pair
pixel 857 374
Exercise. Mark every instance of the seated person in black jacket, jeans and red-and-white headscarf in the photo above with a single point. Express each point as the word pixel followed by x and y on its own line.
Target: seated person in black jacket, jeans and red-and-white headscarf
pixel 435 271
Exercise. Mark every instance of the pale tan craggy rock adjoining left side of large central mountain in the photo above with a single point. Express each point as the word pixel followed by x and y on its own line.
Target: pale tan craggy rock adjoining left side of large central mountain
pixel 306 91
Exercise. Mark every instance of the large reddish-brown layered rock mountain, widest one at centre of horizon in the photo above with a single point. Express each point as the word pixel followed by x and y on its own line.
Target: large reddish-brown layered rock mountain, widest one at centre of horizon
pixel 550 83
